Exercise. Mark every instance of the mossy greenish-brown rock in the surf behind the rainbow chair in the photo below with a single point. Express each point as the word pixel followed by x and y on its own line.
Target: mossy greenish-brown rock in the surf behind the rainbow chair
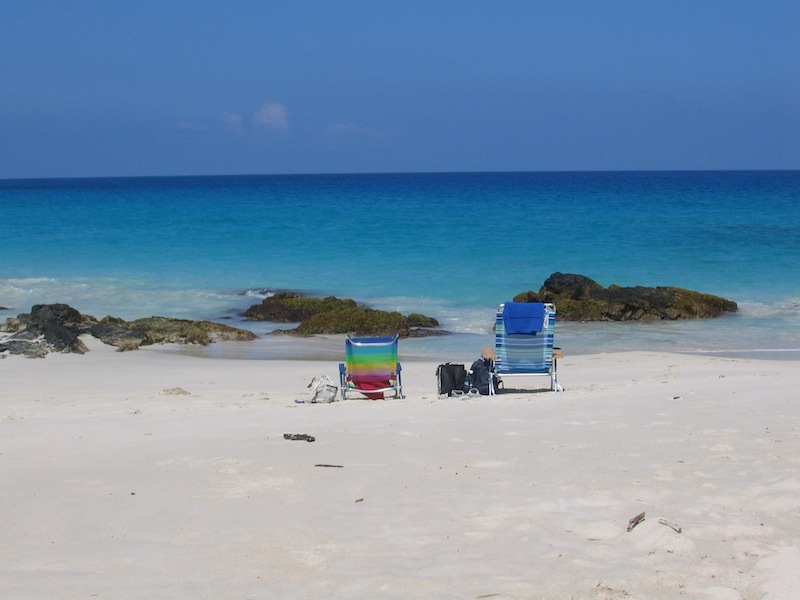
pixel 335 315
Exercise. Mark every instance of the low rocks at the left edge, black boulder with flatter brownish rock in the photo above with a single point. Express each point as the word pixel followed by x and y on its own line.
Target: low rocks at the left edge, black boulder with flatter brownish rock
pixel 56 327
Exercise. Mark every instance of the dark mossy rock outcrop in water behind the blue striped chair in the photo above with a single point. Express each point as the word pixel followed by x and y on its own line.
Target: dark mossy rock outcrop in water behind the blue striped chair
pixel 578 298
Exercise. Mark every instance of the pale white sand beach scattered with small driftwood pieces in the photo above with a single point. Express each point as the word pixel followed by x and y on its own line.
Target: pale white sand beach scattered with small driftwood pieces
pixel 154 475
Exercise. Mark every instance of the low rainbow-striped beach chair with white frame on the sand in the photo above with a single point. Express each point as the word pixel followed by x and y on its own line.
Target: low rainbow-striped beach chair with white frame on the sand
pixel 371 367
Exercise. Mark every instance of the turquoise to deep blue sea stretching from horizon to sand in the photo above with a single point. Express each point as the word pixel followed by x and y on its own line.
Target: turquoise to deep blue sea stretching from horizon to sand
pixel 452 246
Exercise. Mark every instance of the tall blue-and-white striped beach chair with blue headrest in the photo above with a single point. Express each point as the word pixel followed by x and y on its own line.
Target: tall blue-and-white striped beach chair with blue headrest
pixel 524 333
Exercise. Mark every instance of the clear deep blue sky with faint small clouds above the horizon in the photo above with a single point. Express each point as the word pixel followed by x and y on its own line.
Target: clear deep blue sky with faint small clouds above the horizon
pixel 116 88
